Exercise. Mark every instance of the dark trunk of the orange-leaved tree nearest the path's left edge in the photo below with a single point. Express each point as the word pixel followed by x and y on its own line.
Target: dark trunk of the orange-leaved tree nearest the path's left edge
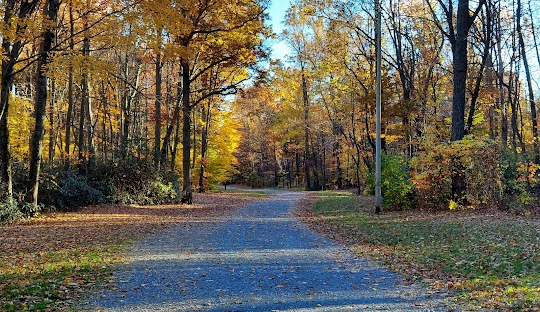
pixel 187 188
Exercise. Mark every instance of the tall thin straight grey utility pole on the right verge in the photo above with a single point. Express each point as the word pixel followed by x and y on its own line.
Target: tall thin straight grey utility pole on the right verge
pixel 378 195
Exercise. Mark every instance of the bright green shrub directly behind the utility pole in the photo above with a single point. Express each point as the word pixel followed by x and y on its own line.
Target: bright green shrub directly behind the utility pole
pixel 396 186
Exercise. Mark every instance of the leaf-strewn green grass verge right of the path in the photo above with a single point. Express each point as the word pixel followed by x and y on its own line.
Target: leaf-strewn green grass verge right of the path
pixel 488 259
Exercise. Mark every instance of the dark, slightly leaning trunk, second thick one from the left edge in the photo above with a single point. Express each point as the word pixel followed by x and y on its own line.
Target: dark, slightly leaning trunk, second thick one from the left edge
pixel 50 11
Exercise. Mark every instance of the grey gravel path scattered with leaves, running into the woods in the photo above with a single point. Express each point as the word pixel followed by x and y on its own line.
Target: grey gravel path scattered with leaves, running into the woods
pixel 260 259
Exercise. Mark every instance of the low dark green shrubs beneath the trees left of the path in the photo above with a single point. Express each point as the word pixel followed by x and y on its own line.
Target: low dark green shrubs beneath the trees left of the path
pixel 130 182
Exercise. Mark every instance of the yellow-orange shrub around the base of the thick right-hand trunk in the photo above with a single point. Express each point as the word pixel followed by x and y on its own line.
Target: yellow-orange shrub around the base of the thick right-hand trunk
pixel 477 158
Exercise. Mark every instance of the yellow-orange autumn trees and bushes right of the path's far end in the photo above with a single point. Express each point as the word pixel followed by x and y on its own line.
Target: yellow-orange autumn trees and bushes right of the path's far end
pixel 310 123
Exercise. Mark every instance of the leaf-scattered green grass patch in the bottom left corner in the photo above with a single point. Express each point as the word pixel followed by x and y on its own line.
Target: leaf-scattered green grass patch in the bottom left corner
pixel 53 280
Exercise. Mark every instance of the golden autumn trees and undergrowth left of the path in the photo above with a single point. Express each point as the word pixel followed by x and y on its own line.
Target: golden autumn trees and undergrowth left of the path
pixel 120 101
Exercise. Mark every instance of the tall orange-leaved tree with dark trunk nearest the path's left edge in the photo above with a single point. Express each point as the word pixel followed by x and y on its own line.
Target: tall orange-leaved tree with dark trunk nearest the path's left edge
pixel 215 34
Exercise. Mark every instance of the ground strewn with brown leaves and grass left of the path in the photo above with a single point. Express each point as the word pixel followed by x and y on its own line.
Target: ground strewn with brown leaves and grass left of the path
pixel 48 263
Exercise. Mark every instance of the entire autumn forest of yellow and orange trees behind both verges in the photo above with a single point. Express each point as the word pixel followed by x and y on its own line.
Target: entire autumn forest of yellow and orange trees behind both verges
pixel 149 101
